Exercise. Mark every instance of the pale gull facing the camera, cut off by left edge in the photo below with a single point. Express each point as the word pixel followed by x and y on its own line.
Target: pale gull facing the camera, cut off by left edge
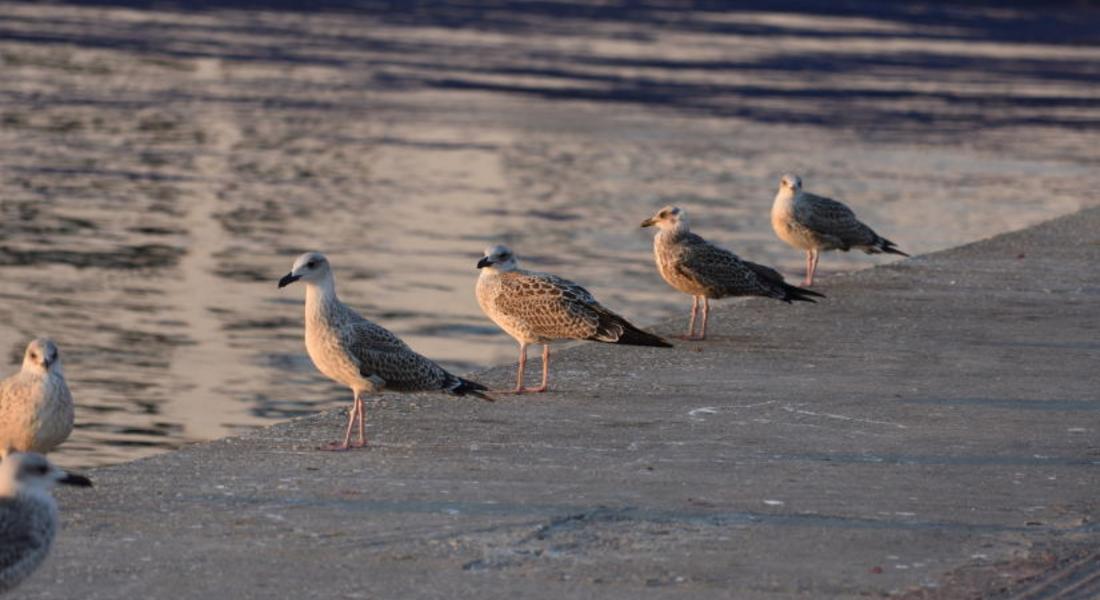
pixel 36 405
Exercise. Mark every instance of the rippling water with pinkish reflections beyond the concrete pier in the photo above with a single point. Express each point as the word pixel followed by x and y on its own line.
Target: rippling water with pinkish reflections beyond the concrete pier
pixel 162 170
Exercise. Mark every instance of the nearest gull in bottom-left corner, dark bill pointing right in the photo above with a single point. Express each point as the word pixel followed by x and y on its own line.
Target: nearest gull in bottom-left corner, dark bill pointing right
pixel 28 514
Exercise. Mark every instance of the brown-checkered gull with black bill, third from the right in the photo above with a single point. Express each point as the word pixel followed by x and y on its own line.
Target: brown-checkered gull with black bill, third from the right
pixel 542 309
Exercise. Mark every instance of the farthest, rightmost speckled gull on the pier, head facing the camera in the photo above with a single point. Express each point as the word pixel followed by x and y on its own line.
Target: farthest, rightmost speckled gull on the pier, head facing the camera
pixel 815 223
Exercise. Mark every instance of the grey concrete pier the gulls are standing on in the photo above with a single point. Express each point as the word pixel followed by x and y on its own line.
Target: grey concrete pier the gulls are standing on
pixel 931 429
